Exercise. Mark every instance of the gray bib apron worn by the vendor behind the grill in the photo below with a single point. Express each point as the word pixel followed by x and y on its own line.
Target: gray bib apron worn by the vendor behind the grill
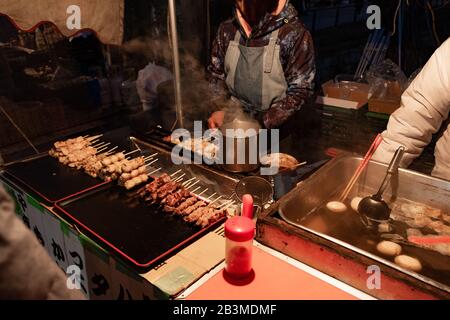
pixel 254 75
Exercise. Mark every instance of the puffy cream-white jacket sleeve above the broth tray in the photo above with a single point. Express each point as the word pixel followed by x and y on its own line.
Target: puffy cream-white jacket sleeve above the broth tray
pixel 424 107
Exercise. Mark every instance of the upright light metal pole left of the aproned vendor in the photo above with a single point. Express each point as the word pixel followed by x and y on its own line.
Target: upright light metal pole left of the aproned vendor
pixel 176 63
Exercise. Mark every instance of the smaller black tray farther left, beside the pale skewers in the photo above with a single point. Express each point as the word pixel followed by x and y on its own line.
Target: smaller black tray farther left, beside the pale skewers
pixel 49 179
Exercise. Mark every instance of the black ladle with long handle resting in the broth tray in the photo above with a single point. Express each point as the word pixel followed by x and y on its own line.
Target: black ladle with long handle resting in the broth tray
pixel 374 207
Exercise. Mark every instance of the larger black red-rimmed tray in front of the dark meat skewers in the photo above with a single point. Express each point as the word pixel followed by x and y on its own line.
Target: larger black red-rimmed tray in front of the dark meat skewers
pixel 142 234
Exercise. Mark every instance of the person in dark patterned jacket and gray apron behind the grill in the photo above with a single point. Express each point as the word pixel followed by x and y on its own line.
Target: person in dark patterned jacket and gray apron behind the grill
pixel 264 56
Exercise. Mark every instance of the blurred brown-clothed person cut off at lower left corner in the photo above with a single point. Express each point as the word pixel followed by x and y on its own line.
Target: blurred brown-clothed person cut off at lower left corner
pixel 26 270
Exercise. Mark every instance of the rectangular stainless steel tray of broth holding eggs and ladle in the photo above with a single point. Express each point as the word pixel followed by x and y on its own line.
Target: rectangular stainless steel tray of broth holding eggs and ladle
pixel 321 186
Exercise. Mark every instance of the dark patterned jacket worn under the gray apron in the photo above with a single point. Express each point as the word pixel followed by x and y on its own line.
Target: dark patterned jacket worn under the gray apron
pixel 296 54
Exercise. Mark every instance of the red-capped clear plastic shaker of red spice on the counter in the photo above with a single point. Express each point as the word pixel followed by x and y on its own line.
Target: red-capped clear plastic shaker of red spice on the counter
pixel 239 234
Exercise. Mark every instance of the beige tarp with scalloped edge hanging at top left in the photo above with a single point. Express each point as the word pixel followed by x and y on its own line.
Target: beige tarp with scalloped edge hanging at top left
pixel 104 17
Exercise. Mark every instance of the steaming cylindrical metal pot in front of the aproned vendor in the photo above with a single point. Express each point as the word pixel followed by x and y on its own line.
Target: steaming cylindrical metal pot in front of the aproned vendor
pixel 240 145
